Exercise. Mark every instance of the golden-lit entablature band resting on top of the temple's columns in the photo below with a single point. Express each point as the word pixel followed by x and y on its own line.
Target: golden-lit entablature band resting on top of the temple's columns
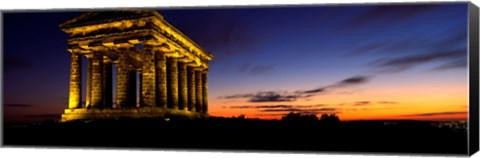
pixel 147 28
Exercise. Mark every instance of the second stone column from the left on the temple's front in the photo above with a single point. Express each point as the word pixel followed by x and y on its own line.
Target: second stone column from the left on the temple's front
pixel 97 80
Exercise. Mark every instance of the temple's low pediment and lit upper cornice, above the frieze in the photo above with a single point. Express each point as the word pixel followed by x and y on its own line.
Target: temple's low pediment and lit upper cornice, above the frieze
pixel 117 22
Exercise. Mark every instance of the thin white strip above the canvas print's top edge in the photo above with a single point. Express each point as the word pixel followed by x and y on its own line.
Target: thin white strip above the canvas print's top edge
pixel 85 4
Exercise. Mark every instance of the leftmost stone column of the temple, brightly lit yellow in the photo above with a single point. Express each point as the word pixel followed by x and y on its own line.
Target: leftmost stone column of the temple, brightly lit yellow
pixel 75 94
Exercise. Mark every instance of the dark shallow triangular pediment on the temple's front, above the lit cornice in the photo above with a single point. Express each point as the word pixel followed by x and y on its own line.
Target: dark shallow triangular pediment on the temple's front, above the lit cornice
pixel 98 17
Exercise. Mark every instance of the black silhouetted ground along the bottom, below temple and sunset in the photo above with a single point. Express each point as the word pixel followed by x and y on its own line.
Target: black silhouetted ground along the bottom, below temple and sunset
pixel 243 134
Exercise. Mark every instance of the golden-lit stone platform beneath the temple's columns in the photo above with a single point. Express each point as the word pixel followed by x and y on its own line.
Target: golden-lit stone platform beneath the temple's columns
pixel 143 112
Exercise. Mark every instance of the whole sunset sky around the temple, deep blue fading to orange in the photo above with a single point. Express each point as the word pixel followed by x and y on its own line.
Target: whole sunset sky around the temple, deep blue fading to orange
pixel 361 62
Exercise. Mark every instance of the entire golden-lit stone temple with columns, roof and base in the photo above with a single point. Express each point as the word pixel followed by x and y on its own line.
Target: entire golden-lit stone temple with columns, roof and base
pixel 171 68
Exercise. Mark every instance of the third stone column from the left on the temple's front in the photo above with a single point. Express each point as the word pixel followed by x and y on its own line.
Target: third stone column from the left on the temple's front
pixel 122 81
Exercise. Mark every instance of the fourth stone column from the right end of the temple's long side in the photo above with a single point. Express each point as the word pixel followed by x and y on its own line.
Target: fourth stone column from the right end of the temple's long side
pixel 182 86
